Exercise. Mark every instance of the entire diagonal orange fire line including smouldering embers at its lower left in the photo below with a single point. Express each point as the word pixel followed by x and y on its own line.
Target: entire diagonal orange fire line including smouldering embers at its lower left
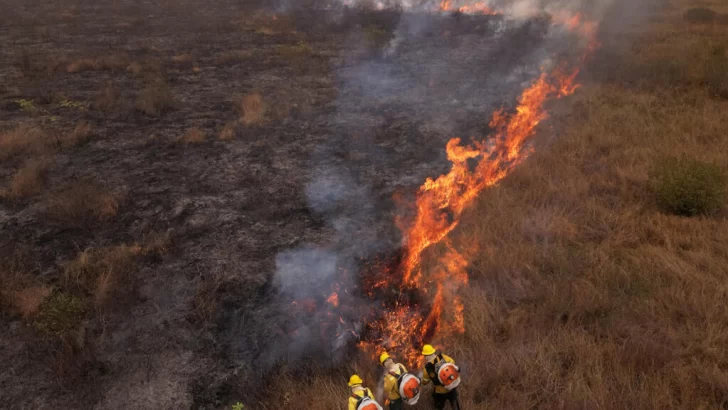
pixel 421 302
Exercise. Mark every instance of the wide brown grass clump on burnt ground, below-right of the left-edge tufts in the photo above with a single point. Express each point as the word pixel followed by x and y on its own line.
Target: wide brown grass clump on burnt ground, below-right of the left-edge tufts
pixel 82 204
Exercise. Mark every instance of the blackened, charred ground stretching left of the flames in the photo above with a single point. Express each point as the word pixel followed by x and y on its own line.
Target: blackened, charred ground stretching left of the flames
pixel 210 211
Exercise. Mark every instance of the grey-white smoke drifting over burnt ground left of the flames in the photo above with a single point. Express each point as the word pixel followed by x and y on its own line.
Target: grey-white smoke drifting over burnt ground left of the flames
pixel 438 76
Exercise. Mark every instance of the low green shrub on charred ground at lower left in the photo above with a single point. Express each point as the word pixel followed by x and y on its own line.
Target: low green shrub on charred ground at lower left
pixel 59 313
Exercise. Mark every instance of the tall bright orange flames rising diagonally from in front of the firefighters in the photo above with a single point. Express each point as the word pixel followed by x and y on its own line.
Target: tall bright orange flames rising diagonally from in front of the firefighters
pixel 440 203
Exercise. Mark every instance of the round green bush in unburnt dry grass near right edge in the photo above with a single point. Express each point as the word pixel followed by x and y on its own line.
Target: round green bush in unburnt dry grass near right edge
pixel 688 187
